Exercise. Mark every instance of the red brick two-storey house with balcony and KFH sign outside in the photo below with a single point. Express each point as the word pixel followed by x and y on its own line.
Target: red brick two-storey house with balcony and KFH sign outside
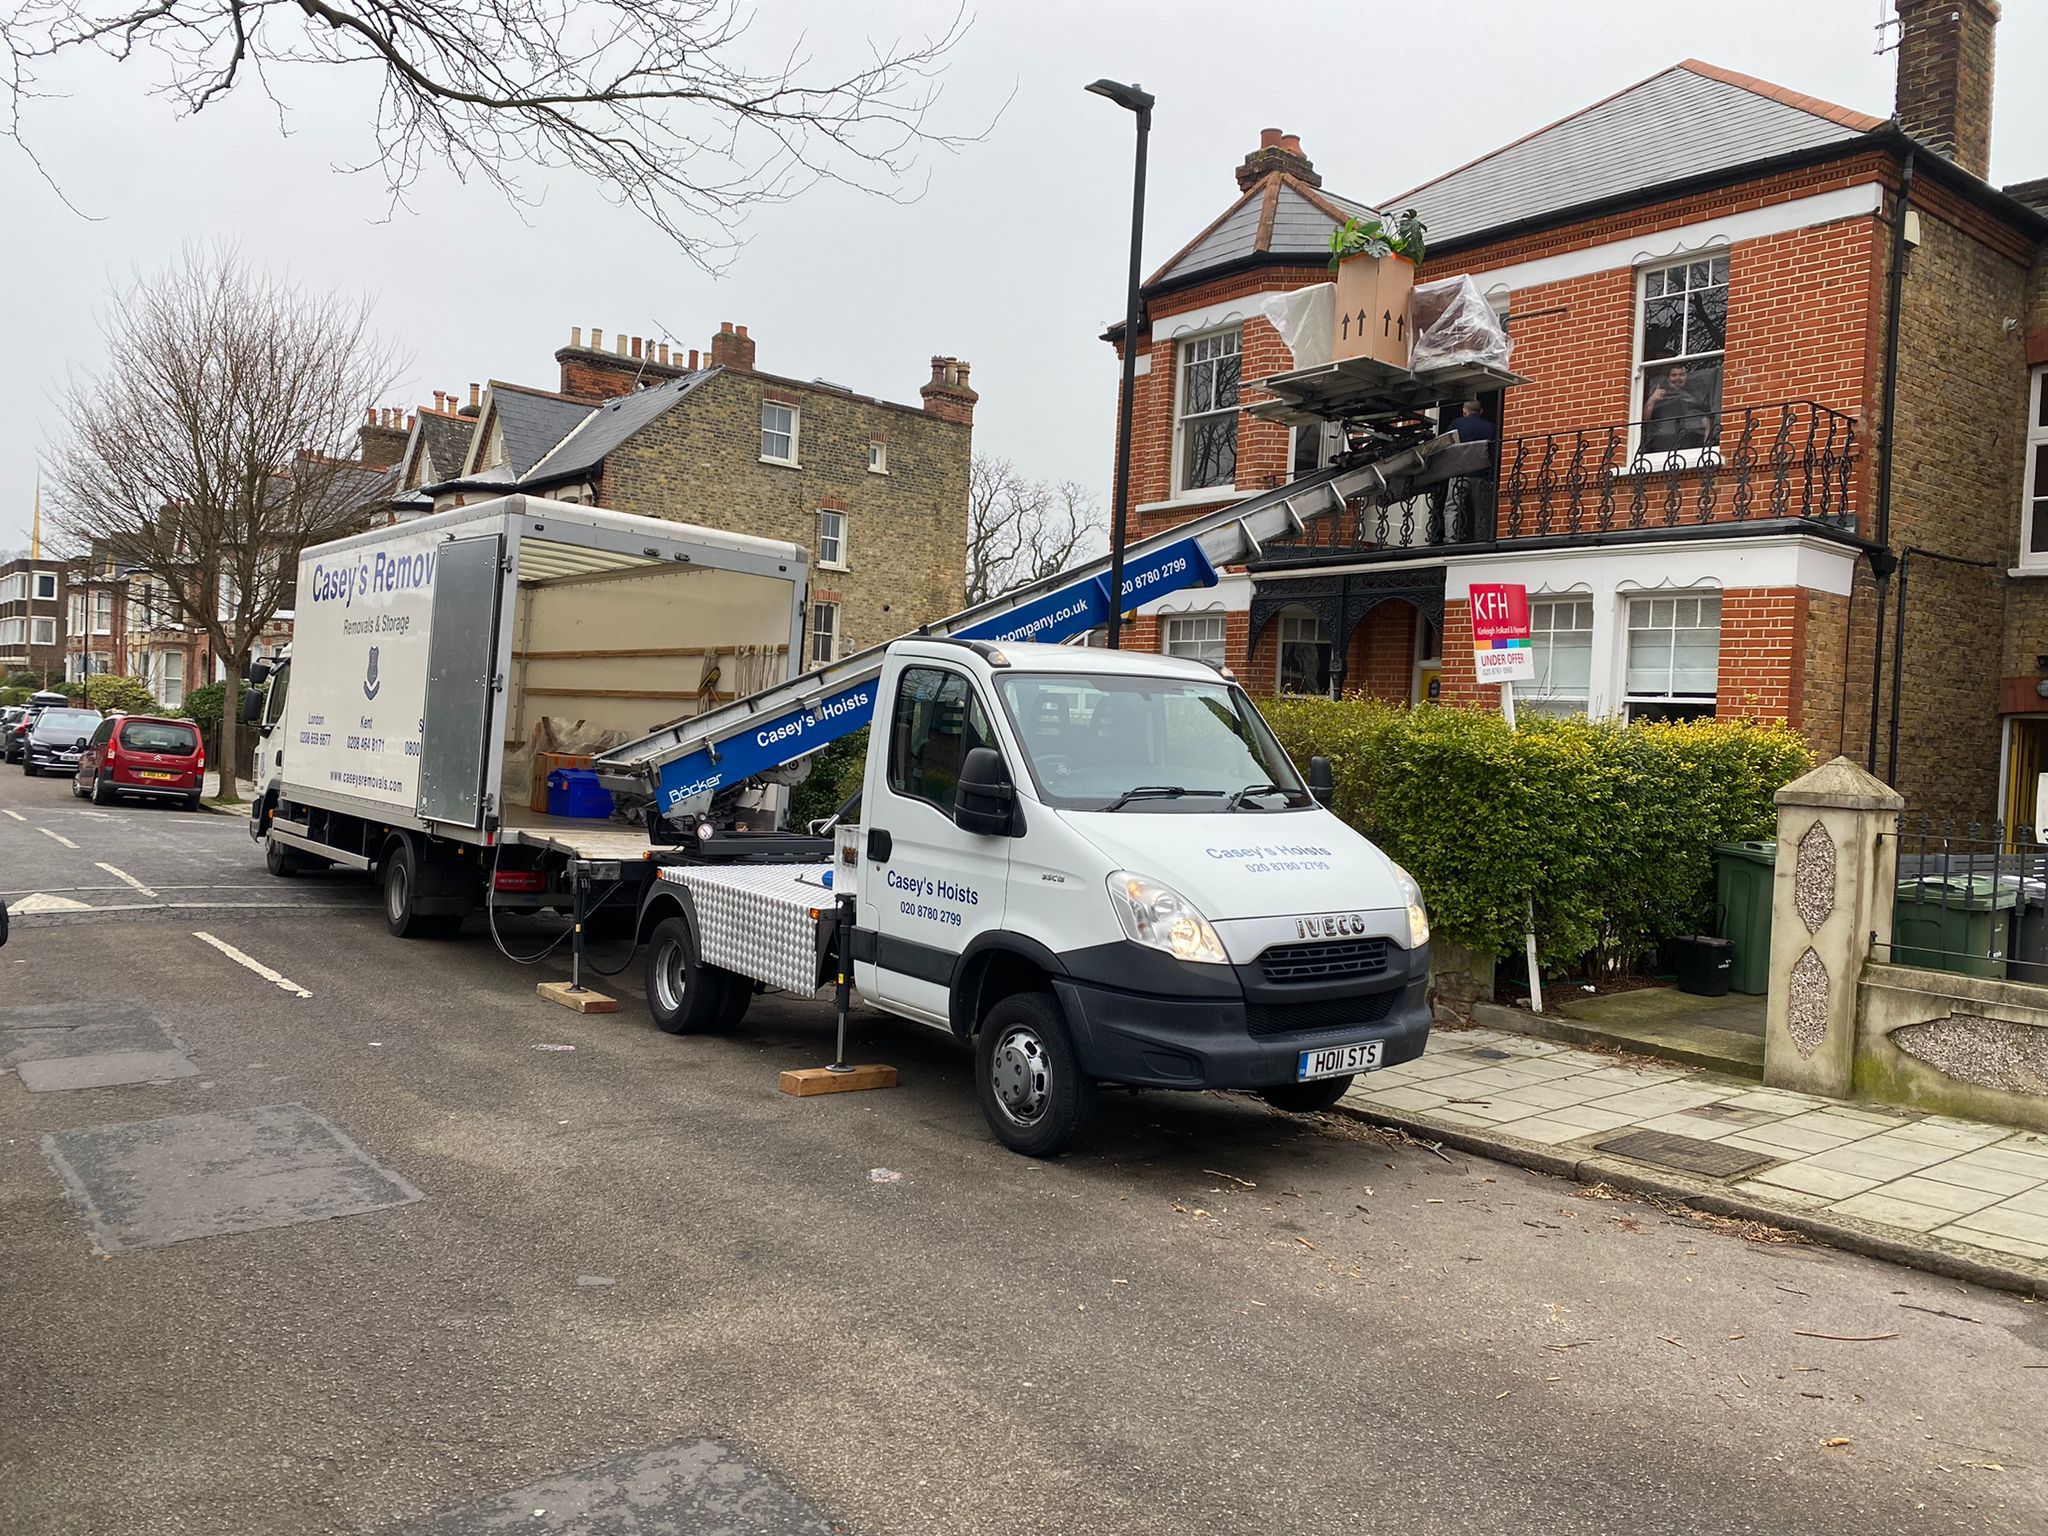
pixel 1709 542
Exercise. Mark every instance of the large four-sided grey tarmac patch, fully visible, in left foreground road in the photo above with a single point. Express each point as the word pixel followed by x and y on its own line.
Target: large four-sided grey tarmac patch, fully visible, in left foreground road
pixel 155 1183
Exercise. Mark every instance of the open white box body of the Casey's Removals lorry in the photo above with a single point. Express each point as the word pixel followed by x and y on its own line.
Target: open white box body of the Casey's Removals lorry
pixel 427 652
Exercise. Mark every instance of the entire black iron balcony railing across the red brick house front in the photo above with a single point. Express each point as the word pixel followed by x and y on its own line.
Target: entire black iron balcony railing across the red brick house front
pixel 1791 460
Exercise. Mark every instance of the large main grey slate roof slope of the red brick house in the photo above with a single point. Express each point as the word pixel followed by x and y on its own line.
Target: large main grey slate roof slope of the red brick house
pixel 1693 120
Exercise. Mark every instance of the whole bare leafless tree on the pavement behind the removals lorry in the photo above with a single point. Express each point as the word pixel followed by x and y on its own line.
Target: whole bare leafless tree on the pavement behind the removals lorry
pixel 220 443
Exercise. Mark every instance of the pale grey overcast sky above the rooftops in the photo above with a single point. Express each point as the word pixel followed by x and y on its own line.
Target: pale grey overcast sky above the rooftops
pixel 1013 257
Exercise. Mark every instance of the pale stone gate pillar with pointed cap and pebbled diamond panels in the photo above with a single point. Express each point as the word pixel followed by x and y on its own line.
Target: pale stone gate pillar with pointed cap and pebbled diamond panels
pixel 1832 894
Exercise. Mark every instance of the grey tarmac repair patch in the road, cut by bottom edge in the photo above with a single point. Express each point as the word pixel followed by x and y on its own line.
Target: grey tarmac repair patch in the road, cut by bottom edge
pixel 693 1488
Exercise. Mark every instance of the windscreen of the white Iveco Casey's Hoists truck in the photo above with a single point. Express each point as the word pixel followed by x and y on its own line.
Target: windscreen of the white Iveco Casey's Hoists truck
pixel 1093 738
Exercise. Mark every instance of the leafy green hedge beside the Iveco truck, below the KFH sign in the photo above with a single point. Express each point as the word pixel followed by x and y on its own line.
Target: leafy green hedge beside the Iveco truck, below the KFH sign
pixel 1611 828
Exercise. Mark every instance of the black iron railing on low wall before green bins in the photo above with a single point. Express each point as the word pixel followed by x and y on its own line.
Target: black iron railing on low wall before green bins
pixel 1971 898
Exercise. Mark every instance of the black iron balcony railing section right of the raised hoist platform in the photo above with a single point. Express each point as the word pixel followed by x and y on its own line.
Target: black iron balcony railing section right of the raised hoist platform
pixel 1791 460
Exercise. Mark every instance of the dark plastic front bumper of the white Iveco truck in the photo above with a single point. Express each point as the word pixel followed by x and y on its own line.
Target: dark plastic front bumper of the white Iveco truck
pixel 1244 1041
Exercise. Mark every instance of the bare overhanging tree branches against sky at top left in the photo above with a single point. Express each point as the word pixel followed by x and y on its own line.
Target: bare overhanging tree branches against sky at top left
pixel 667 105
